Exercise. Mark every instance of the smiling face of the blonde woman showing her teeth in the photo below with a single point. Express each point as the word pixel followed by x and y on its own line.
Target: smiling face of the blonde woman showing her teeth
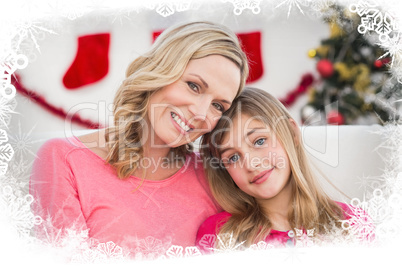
pixel 190 107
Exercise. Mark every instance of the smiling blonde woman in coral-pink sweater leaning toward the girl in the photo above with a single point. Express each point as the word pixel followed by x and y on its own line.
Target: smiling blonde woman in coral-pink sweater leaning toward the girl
pixel 138 180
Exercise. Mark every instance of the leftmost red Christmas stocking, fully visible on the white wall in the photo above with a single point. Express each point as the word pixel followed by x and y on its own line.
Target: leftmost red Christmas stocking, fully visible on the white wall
pixel 91 62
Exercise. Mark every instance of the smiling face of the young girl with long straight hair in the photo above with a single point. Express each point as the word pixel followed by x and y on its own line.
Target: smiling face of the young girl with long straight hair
pixel 256 160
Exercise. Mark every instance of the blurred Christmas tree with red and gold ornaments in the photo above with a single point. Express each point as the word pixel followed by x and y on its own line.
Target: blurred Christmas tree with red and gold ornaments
pixel 356 86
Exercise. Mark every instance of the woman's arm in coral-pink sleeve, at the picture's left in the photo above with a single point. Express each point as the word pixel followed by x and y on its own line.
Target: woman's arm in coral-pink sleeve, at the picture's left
pixel 54 188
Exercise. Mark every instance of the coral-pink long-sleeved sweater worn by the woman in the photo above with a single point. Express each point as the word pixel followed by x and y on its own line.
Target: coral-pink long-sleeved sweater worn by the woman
pixel 75 187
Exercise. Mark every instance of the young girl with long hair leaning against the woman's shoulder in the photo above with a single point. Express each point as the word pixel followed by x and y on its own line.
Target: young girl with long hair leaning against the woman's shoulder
pixel 260 175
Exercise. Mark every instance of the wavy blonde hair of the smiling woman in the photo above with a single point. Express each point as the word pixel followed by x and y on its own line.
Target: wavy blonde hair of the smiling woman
pixel 163 65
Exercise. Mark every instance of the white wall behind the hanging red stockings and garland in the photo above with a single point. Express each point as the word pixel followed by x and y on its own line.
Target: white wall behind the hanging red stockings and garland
pixel 285 42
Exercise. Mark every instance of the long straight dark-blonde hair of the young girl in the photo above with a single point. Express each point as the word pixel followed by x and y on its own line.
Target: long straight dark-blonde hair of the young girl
pixel 311 207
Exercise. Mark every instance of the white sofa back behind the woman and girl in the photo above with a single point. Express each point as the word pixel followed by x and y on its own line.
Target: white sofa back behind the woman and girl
pixel 349 156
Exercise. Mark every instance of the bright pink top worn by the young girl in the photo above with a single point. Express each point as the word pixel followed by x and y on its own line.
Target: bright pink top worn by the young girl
pixel 360 224
